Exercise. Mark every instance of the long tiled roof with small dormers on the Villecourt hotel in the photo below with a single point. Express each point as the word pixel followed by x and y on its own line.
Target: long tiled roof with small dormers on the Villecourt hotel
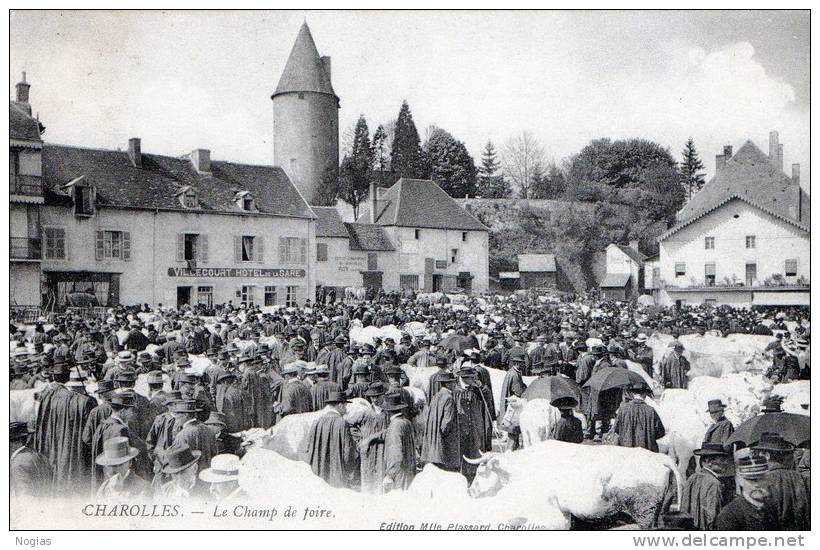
pixel 156 184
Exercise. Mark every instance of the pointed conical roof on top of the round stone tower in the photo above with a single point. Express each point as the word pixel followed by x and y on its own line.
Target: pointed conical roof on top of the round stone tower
pixel 304 71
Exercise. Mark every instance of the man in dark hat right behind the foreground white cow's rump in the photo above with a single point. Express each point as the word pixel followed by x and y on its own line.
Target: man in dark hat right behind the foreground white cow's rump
pixel 704 493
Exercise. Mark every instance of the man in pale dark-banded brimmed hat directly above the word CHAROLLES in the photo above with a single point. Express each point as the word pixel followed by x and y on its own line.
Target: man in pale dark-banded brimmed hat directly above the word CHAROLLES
pixel 121 482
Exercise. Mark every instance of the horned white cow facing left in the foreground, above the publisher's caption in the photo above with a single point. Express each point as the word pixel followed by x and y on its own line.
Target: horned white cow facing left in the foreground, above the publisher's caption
pixel 588 481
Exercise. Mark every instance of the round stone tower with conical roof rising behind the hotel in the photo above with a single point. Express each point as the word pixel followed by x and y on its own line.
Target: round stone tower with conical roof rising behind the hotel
pixel 306 118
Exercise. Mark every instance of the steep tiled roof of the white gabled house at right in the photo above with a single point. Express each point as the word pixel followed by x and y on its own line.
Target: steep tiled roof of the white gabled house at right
pixel 749 176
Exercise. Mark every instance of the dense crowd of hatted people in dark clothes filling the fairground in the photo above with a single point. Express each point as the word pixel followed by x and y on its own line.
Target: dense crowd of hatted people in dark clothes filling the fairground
pixel 95 434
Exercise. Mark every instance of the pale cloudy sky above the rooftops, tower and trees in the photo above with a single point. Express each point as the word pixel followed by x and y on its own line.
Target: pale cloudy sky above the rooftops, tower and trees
pixel 185 79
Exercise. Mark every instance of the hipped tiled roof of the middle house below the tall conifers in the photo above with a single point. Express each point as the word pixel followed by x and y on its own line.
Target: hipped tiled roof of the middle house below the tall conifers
pixel 421 203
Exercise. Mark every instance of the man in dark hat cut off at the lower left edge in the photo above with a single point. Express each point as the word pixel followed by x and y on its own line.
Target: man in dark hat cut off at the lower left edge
pixel 30 473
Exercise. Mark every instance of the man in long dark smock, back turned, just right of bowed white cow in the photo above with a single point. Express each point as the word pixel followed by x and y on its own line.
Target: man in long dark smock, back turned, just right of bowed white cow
pixel 331 451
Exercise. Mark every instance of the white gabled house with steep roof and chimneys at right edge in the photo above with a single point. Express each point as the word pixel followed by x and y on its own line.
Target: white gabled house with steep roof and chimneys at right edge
pixel 743 240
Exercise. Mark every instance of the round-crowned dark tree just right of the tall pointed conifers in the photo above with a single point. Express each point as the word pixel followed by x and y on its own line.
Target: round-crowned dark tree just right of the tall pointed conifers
pixel 451 166
